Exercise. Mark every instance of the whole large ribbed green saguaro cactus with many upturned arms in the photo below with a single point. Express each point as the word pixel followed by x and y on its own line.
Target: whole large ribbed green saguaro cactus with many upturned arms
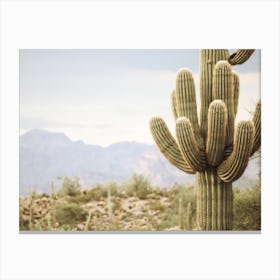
pixel 214 149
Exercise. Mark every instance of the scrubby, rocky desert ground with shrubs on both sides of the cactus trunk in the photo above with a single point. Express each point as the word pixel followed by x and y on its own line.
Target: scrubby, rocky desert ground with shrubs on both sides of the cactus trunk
pixel 134 205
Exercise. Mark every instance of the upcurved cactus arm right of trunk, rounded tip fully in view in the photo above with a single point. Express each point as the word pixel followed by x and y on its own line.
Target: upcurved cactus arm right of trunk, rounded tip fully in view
pixel 233 167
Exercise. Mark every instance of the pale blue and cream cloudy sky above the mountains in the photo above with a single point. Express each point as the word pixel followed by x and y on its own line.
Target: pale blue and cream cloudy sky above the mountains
pixel 107 96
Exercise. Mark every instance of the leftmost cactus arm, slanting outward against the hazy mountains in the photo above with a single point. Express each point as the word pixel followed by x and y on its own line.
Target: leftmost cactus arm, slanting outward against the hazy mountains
pixel 167 144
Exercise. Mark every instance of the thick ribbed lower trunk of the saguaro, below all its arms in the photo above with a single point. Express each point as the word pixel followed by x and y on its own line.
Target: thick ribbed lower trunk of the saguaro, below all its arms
pixel 214 201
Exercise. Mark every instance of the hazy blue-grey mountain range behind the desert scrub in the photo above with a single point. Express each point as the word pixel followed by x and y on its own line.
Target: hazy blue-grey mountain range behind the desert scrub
pixel 46 155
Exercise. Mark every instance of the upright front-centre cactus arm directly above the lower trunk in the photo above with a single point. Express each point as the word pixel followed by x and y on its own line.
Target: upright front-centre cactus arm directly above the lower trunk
pixel 216 136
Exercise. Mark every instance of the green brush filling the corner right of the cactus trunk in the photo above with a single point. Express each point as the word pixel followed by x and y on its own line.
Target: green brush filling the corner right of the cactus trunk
pixel 247 208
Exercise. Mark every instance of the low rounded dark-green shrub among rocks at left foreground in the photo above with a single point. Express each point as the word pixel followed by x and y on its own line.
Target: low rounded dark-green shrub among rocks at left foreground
pixel 69 214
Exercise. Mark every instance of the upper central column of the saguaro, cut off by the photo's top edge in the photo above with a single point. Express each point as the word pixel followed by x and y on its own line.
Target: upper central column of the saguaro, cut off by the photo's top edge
pixel 208 59
